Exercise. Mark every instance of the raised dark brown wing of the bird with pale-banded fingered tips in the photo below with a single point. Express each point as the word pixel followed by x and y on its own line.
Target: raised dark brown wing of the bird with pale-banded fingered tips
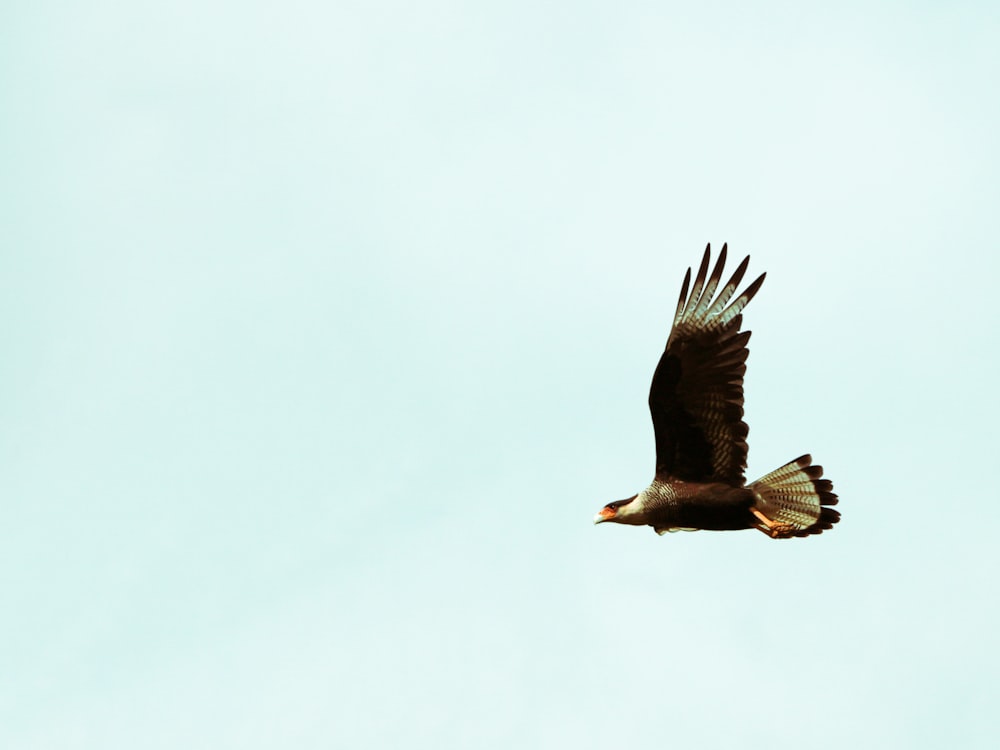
pixel 696 398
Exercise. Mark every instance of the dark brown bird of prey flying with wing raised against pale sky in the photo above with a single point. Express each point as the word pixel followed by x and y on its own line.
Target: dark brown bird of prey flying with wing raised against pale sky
pixel 696 402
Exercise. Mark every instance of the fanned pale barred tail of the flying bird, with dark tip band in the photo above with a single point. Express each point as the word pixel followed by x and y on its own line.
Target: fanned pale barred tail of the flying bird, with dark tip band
pixel 795 494
